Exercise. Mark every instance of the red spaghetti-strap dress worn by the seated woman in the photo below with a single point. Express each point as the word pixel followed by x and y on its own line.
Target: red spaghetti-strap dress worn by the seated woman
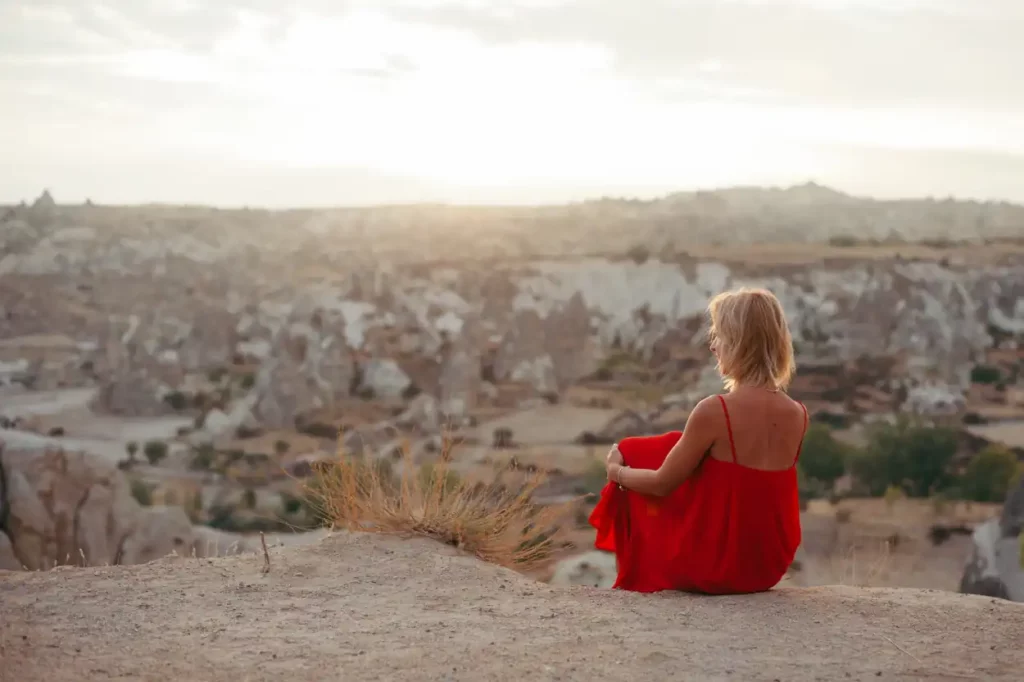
pixel 728 530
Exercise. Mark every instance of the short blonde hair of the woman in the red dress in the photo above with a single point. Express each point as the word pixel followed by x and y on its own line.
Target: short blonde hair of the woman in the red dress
pixel 755 345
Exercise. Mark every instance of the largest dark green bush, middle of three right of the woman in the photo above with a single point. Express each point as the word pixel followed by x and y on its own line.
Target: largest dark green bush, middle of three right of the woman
pixel 914 457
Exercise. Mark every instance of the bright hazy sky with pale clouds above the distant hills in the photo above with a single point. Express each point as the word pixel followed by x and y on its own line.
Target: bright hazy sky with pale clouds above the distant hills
pixel 317 103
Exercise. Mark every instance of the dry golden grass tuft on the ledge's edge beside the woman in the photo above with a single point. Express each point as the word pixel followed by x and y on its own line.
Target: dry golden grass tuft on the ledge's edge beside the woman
pixel 498 522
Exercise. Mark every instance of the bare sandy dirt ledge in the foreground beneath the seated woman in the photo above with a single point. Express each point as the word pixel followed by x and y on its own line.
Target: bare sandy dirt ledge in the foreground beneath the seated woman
pixel 364 608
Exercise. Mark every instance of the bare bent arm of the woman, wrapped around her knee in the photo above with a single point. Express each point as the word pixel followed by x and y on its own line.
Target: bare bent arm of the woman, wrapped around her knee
pixel 682 459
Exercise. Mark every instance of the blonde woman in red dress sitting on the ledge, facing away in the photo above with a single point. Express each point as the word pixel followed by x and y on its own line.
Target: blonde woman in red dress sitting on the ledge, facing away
pixel 715 509
